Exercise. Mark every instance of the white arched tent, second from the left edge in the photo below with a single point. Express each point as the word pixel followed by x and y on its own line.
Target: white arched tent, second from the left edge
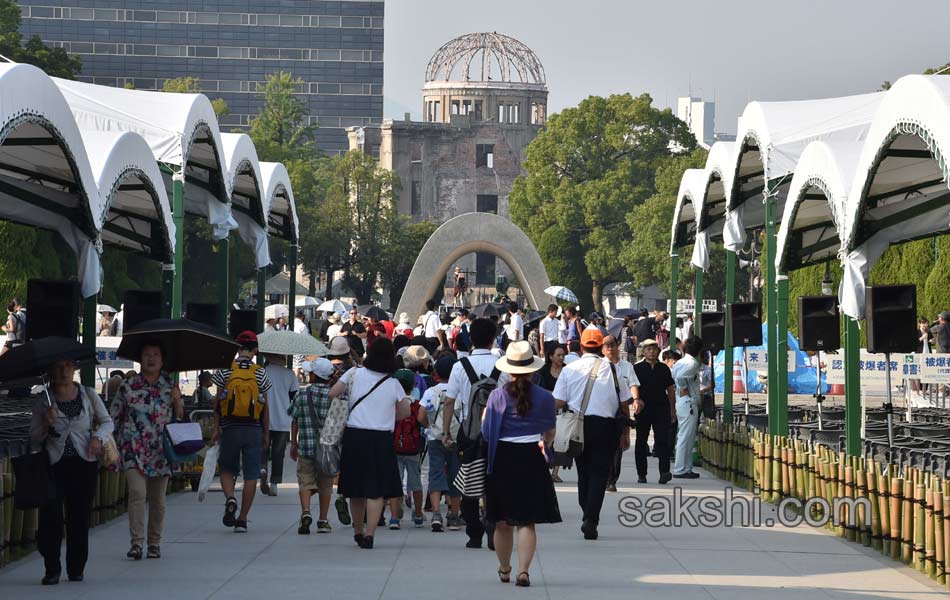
pixel 137 214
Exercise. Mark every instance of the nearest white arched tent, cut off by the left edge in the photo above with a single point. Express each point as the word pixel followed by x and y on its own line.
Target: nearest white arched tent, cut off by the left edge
pixel 45 176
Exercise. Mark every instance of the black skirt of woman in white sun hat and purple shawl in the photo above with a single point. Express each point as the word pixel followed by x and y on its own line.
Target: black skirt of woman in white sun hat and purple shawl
pixel 519 489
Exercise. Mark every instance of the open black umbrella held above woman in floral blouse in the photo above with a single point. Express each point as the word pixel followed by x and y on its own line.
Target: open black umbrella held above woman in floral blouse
pixel 188 346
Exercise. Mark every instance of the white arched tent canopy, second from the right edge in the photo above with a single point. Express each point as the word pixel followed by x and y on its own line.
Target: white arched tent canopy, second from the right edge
pixel 815 205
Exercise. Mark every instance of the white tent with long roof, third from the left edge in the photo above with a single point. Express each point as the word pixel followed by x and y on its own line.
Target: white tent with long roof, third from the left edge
pixel 181 130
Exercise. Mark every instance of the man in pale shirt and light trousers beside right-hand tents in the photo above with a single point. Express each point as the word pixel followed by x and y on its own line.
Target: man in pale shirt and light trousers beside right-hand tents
pixel 688 403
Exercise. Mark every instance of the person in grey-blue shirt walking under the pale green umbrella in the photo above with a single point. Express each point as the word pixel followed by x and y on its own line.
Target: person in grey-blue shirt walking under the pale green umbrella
pixel 284 386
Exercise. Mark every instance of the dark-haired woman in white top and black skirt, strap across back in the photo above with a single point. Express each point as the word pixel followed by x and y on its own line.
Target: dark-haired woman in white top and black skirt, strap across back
pixel 369 474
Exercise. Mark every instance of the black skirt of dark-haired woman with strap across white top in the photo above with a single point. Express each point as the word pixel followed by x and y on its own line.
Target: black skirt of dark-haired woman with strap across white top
pixel 368 465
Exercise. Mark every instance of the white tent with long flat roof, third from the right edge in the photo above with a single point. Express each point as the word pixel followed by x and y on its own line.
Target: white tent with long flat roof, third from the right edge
pixel 771 138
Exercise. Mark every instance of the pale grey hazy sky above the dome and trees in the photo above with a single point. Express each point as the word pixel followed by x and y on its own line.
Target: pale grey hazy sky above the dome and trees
pixel 730 51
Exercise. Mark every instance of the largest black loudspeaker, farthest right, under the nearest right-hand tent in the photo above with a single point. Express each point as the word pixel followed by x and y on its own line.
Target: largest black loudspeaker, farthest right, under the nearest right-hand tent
pixel 892 318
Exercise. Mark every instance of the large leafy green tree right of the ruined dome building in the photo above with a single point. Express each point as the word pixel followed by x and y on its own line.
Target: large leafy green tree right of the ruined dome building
pixel 588 168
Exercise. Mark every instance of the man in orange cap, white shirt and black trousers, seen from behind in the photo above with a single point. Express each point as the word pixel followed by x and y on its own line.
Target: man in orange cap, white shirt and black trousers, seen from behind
pixel 601 433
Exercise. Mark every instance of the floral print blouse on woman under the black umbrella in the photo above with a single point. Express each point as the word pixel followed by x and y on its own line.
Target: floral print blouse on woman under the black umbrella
pixel 140 411
